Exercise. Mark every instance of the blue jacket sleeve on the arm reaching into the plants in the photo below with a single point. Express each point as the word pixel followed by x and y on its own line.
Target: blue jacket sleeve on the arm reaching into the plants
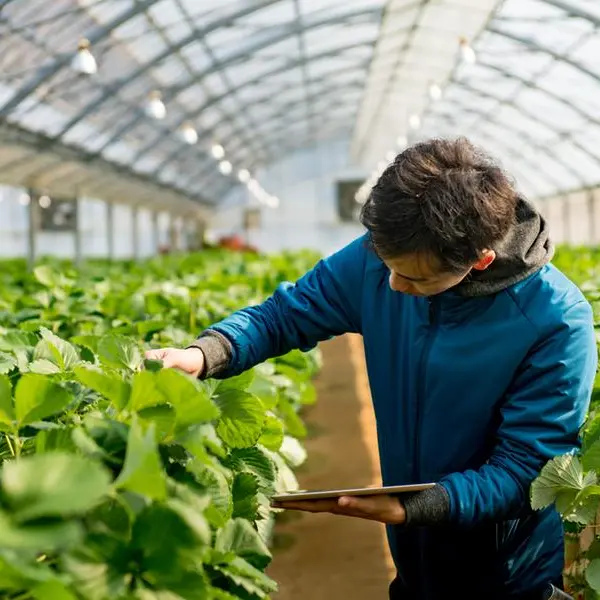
pixel 324 303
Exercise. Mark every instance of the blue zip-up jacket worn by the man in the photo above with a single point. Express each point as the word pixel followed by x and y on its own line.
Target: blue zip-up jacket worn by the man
pixel 476 393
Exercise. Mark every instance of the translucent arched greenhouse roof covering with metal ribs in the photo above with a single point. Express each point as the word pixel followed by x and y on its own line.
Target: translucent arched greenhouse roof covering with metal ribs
pixel 188 93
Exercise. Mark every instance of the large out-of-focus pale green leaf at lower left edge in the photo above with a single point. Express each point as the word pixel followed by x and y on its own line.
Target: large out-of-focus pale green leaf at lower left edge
pixel 53 484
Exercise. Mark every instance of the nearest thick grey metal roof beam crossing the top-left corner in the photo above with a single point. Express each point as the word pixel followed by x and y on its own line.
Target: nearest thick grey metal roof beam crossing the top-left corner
pixel 63 60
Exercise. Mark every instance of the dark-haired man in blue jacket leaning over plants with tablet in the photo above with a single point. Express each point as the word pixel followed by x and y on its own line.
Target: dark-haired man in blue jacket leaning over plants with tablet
pixel 481 359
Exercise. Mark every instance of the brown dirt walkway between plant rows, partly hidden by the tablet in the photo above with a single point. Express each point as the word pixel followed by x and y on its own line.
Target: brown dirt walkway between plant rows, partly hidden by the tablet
pixel 327 557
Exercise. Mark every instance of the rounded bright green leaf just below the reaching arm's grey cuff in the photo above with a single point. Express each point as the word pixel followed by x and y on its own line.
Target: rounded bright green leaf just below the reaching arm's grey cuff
pixel 242 418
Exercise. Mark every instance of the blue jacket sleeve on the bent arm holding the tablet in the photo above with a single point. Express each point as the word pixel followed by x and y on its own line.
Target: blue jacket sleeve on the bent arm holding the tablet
pixel 541 417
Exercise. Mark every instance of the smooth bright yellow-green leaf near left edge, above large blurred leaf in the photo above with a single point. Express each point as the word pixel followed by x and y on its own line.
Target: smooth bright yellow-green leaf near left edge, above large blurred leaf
pixel 37 397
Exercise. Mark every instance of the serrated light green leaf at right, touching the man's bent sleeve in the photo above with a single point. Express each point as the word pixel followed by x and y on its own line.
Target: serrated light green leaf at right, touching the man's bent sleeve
pixel 561 475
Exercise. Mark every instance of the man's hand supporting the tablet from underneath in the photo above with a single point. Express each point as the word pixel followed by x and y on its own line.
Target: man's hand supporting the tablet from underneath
pixel 385 509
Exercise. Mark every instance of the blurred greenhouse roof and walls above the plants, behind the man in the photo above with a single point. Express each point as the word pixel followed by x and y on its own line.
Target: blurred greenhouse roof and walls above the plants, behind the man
pixel 131 127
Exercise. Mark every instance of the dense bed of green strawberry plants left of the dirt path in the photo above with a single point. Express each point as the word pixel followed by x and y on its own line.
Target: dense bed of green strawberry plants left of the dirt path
pixel 120 479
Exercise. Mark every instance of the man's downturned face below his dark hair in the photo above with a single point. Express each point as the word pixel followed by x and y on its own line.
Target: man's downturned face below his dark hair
pixel 420 275
